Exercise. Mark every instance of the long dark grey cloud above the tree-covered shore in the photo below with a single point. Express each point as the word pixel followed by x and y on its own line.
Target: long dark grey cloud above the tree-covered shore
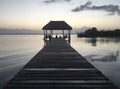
pixel 112 9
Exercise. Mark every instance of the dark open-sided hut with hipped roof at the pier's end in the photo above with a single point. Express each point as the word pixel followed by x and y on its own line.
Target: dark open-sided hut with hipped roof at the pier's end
pixel 57 26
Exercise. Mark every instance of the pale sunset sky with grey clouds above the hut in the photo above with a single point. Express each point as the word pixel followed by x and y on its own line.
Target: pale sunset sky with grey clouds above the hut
pixel 34 14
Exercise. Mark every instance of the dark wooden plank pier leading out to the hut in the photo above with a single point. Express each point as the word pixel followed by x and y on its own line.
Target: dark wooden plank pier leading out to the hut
pixel 59 66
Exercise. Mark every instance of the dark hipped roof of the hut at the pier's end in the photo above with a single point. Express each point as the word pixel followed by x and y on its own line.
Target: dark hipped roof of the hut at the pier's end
pixel 57 25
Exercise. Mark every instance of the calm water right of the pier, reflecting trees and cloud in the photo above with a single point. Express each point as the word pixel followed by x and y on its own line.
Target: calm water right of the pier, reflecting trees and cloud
pixel 103 53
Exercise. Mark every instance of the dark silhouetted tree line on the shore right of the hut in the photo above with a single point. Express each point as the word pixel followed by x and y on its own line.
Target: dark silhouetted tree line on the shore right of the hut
pixel 93 32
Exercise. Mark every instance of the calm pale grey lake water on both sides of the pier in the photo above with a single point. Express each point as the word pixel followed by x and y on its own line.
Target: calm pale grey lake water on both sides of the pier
pixel 17 50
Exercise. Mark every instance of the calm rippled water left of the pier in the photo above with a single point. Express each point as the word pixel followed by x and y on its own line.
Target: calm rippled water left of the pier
pixel 15 52
